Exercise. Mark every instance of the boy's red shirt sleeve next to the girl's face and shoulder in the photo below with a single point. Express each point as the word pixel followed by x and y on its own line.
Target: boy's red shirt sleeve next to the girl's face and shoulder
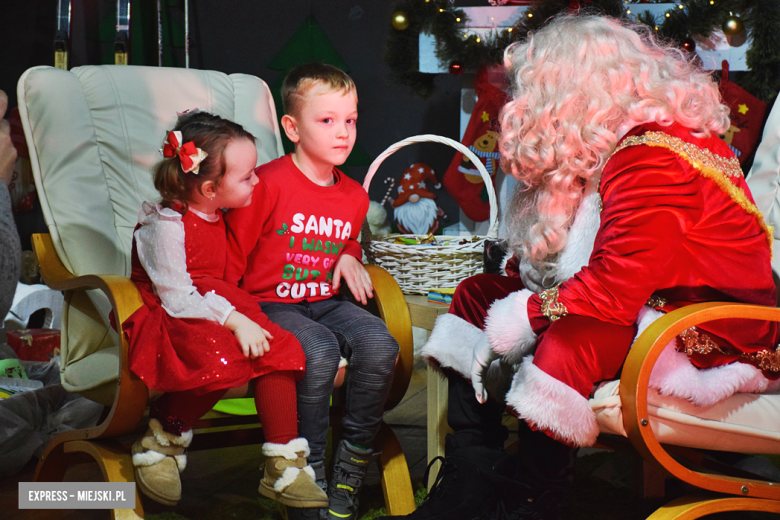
pixel 245 226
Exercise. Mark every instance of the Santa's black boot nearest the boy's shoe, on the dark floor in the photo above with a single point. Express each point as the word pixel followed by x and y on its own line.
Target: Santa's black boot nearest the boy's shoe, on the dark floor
pixel 462 489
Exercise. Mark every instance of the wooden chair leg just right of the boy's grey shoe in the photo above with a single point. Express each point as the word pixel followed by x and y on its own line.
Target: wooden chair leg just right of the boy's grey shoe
pixel 394 472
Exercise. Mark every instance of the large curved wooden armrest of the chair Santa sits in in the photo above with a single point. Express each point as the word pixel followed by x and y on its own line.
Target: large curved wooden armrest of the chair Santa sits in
pixel 634 387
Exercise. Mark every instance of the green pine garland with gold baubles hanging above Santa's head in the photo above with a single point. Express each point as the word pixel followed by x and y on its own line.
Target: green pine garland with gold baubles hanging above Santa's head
pixel 437 17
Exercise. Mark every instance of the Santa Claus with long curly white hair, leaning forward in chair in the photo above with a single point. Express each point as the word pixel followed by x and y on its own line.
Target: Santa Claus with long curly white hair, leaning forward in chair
pixel 629 206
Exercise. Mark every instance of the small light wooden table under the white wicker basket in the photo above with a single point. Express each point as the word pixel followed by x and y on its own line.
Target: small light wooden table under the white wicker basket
pixel 423 314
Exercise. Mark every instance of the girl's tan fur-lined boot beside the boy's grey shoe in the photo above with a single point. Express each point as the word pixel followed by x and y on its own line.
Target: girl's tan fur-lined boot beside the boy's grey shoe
pixel 287 477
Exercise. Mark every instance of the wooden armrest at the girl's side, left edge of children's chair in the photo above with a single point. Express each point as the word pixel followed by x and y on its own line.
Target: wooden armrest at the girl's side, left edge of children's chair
pixel 132 394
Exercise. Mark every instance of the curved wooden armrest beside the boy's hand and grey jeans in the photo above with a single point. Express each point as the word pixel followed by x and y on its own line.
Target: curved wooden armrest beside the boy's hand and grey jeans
pixel 395 312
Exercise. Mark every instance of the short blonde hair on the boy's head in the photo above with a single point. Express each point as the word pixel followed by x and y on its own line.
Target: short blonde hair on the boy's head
pixel 303 77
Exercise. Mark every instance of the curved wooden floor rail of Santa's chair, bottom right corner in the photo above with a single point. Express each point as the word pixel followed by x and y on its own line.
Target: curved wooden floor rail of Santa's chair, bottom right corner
pixel 691 507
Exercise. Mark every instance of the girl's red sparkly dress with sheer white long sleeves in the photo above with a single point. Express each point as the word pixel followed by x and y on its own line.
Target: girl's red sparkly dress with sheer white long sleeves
pixel 178 342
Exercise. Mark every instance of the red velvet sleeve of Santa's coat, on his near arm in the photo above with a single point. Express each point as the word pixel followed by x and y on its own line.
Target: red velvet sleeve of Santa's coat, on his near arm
pixel 650 201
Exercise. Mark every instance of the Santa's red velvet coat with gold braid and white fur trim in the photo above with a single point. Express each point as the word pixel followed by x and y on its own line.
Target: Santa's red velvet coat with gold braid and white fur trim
pixel 676 225
